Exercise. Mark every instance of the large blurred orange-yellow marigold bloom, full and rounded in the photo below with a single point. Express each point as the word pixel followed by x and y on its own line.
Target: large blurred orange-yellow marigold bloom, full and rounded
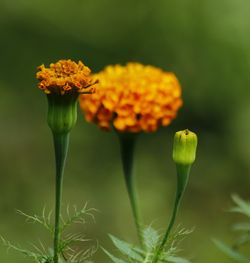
pixel 133 98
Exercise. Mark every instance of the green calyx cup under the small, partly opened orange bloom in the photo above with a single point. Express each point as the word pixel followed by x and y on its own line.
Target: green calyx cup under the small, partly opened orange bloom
pixel 62 112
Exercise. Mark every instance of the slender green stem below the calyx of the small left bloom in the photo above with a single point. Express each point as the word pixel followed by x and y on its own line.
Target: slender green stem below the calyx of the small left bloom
pixel 61 142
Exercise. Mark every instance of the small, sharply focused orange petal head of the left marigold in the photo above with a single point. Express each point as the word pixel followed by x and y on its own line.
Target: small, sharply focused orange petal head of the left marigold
pixel 65 76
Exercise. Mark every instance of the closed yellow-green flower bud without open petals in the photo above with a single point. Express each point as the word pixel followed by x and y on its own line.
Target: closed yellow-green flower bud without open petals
pixel 184 150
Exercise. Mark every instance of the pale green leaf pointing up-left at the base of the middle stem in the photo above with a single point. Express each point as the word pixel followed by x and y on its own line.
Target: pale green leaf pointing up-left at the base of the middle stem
pixel 126 249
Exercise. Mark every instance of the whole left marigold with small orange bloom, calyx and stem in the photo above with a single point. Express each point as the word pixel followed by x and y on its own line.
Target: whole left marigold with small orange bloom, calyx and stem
pixel 62 83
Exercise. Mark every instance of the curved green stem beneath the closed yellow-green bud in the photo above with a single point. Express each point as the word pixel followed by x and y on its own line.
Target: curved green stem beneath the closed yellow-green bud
pixel 182 179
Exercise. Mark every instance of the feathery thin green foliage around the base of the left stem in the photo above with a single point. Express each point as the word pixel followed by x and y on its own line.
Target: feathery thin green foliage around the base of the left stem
pixel 69 244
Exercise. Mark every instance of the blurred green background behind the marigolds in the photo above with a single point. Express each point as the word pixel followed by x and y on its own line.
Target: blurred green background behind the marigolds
pixel 205 42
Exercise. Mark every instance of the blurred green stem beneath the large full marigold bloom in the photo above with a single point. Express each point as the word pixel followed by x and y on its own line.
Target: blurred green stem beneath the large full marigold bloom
pixel 127 145
